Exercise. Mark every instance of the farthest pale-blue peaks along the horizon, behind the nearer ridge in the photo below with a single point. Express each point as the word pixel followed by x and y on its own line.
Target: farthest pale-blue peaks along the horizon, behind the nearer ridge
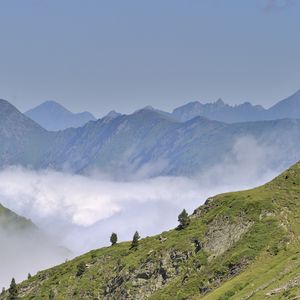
pixel 53 116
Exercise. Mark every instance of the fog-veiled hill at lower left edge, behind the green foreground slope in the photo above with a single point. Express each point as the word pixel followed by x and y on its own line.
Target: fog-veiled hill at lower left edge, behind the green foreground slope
pixel 25 248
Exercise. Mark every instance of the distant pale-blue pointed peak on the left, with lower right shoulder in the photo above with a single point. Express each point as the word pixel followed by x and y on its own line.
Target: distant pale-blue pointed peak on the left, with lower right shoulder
pixel 53 116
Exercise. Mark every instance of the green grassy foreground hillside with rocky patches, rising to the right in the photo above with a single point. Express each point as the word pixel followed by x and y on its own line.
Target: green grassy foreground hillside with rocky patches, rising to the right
pixel 240 245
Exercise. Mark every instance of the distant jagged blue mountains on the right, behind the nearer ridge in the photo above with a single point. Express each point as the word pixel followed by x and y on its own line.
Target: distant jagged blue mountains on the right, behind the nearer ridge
pixel 287 108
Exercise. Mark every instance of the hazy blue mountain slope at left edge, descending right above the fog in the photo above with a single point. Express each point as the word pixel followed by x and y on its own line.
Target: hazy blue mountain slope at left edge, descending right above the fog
pixel 22 141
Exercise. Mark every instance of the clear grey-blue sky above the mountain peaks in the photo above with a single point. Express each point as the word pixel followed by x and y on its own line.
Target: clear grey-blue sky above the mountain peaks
pixel 101 55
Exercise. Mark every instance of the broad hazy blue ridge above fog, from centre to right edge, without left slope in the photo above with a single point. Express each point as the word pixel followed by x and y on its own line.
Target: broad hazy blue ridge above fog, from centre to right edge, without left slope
pixel 147 143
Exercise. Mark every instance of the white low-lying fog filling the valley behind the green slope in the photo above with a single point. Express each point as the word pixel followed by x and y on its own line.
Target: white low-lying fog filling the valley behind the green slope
pixel 80 212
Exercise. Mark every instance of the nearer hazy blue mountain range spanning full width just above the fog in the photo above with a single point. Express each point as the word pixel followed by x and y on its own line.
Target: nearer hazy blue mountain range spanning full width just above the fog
pixel 145 143
